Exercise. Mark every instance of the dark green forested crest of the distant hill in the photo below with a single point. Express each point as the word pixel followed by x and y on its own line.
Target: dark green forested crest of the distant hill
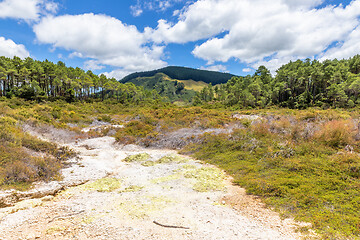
pixel 183 73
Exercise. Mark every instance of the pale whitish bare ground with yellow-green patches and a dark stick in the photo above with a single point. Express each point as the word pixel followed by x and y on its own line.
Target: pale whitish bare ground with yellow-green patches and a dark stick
pixel 152 194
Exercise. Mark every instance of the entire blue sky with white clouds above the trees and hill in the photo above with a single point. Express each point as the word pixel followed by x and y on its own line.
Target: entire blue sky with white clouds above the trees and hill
pixel 118 37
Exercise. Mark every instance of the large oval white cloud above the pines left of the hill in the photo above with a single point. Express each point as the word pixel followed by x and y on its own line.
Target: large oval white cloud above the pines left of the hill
pixel 105 39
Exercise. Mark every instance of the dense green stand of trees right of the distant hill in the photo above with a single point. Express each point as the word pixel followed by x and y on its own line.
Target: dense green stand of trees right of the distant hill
pixel 299 84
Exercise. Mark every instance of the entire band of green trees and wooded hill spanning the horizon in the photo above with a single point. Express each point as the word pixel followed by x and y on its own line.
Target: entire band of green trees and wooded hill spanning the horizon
pixel 298 85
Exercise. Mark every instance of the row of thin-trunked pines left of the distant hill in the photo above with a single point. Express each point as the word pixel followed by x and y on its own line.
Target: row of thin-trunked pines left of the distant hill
pixel 41 80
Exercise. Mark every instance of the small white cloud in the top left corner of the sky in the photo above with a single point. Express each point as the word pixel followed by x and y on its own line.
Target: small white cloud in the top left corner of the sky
pixel 26 9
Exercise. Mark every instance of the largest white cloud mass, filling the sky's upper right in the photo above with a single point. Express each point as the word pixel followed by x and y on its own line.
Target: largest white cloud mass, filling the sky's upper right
pixel 262 32
